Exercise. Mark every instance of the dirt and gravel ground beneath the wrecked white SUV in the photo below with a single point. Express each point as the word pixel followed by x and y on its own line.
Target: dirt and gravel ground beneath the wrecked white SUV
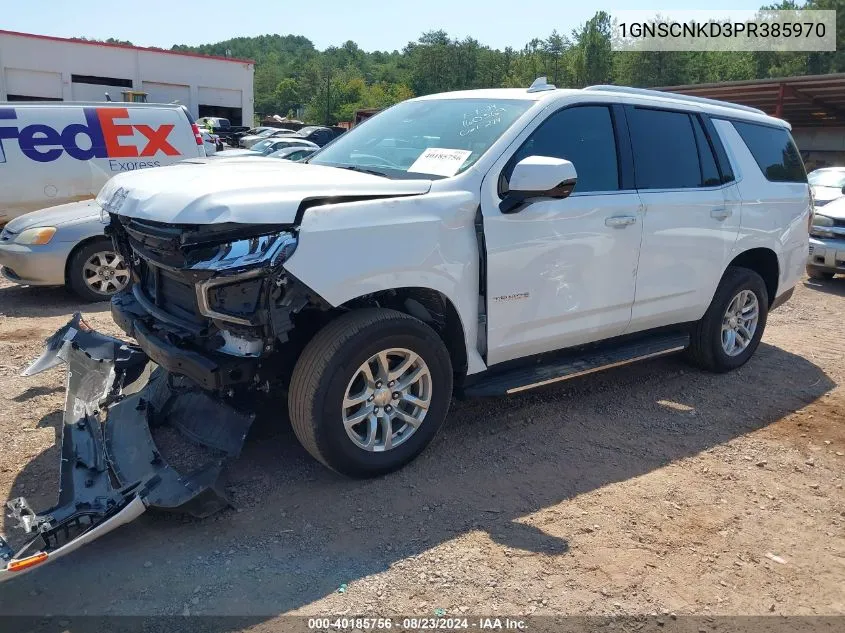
pixel 648 489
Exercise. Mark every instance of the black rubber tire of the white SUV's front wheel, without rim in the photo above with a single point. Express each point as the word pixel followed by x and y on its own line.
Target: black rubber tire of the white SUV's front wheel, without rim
pixel 327 365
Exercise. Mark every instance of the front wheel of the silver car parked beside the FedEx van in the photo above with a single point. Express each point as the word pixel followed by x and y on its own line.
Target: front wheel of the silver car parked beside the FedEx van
pixel 96 271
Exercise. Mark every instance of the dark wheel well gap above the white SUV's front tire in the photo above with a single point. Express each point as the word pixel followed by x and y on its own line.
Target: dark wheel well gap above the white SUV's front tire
pixel 429 306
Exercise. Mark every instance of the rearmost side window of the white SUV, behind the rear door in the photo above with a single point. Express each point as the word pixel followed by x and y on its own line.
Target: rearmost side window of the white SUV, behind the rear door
pixel 774 151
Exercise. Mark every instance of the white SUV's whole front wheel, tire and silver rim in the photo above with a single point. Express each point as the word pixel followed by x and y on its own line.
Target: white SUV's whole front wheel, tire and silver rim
pixel 370 391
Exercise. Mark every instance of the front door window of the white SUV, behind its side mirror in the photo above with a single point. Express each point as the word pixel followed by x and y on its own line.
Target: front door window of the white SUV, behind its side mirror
pixel 583 135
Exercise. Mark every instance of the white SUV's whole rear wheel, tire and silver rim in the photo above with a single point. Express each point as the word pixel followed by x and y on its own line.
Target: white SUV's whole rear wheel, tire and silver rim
pixel 731 329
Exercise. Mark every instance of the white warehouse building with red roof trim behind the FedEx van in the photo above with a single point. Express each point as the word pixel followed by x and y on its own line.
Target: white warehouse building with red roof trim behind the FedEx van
pixel 43 68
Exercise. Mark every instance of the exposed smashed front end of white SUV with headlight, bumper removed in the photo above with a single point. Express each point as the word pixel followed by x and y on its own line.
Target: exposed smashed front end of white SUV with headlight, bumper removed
pixel 210 302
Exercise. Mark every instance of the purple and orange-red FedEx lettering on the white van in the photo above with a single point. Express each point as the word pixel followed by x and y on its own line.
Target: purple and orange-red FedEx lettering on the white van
pixel 103 135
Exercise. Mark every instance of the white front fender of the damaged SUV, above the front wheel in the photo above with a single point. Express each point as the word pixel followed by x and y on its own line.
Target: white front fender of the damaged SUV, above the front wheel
pixel 352 249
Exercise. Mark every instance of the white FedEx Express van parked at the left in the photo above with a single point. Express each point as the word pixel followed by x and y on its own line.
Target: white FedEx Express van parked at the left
pixel 81 146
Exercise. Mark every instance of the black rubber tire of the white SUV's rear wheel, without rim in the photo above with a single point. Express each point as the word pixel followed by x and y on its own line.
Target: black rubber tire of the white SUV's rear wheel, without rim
pixel 706 349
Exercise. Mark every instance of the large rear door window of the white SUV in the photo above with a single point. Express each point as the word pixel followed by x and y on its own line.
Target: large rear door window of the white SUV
pixel 665 150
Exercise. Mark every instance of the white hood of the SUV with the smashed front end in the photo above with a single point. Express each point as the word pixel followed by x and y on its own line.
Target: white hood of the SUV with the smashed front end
pixel 249 192
